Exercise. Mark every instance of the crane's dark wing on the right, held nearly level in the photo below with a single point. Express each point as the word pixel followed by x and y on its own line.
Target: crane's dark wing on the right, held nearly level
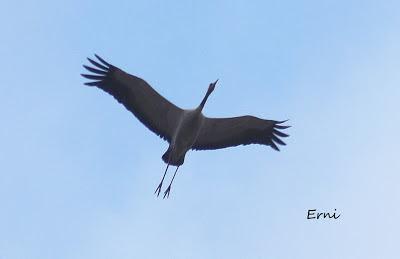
pixel 228 132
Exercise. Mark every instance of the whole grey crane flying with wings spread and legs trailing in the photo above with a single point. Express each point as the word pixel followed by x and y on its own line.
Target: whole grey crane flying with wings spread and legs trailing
pixel 183 129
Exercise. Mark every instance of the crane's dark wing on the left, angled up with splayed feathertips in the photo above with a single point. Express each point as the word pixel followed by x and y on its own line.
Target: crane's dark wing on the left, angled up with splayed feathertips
pixel 153 110
